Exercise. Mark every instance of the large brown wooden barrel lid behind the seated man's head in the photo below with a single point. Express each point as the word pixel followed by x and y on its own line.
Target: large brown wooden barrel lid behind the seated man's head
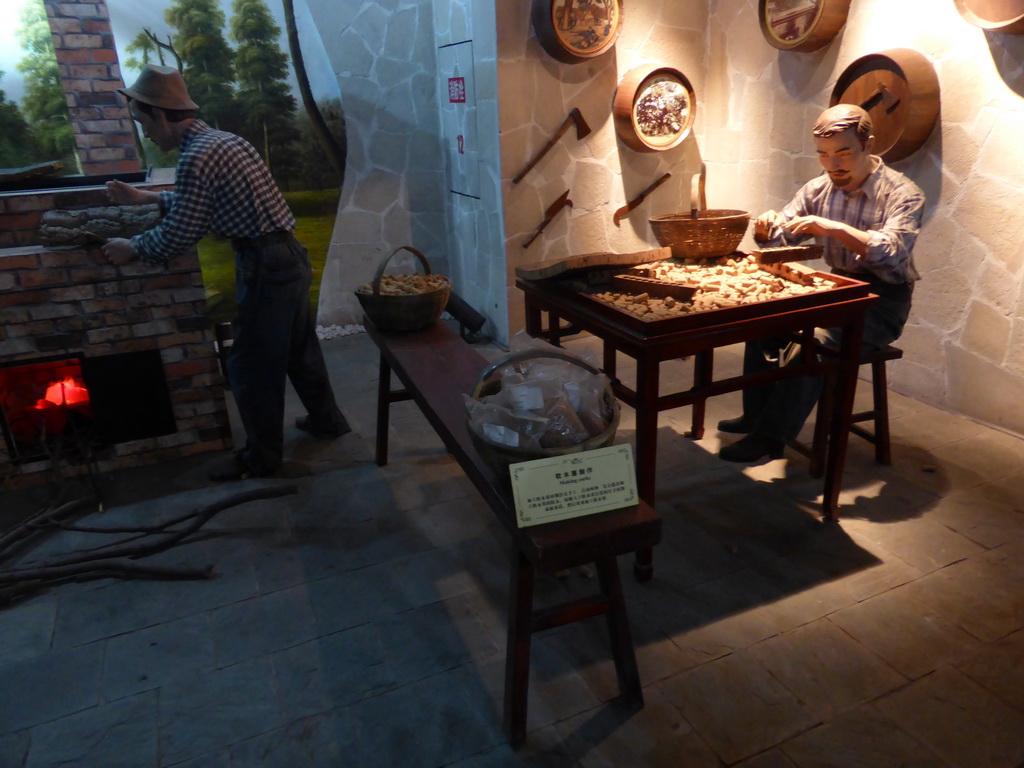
pixel 901 92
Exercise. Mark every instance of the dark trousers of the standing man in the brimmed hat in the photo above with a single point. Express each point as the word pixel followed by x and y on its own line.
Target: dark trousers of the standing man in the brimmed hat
pixel 275 338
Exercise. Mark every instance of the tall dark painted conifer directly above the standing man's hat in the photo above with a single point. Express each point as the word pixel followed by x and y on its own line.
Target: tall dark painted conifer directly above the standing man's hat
pixel 208 60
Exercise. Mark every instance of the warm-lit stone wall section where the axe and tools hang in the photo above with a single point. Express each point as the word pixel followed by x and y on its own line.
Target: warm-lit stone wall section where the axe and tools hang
pixel 602 174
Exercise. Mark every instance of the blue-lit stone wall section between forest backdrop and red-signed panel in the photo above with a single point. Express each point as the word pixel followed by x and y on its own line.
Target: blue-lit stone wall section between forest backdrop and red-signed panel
pixel 383 55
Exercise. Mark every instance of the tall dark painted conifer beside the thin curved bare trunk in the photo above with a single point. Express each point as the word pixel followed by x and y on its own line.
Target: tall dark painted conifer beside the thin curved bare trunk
pixel 262 72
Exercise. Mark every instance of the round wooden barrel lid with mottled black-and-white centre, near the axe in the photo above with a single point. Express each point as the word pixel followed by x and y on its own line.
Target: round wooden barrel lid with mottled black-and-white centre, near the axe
pixel 654 108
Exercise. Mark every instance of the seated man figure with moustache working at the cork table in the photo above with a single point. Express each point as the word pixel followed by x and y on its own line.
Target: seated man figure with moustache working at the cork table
pixel 868 218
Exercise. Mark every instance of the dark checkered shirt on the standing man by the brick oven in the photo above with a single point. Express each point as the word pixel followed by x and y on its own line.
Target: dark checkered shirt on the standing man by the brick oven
pixel 222 186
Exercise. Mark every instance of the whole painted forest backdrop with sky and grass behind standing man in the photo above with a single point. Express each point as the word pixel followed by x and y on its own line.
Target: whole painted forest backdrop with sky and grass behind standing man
pixel 248 78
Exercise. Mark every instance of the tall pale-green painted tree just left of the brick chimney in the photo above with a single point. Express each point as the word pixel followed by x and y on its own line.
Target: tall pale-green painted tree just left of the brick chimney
pixel 45 103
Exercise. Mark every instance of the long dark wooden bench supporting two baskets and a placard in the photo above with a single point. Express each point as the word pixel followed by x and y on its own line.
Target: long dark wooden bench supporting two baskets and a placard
pixel 437 368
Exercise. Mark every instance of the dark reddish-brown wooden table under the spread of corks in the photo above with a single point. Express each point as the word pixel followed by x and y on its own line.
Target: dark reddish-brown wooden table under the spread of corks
pixel 699 335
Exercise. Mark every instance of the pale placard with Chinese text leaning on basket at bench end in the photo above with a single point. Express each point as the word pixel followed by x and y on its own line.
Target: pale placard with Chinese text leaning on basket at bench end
pixel 576 485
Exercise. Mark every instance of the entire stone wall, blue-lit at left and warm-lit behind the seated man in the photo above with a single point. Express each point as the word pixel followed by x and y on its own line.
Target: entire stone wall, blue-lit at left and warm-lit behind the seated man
pixel 964 345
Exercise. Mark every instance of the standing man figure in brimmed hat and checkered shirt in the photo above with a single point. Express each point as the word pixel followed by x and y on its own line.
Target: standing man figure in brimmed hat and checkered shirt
pixel 223 186
